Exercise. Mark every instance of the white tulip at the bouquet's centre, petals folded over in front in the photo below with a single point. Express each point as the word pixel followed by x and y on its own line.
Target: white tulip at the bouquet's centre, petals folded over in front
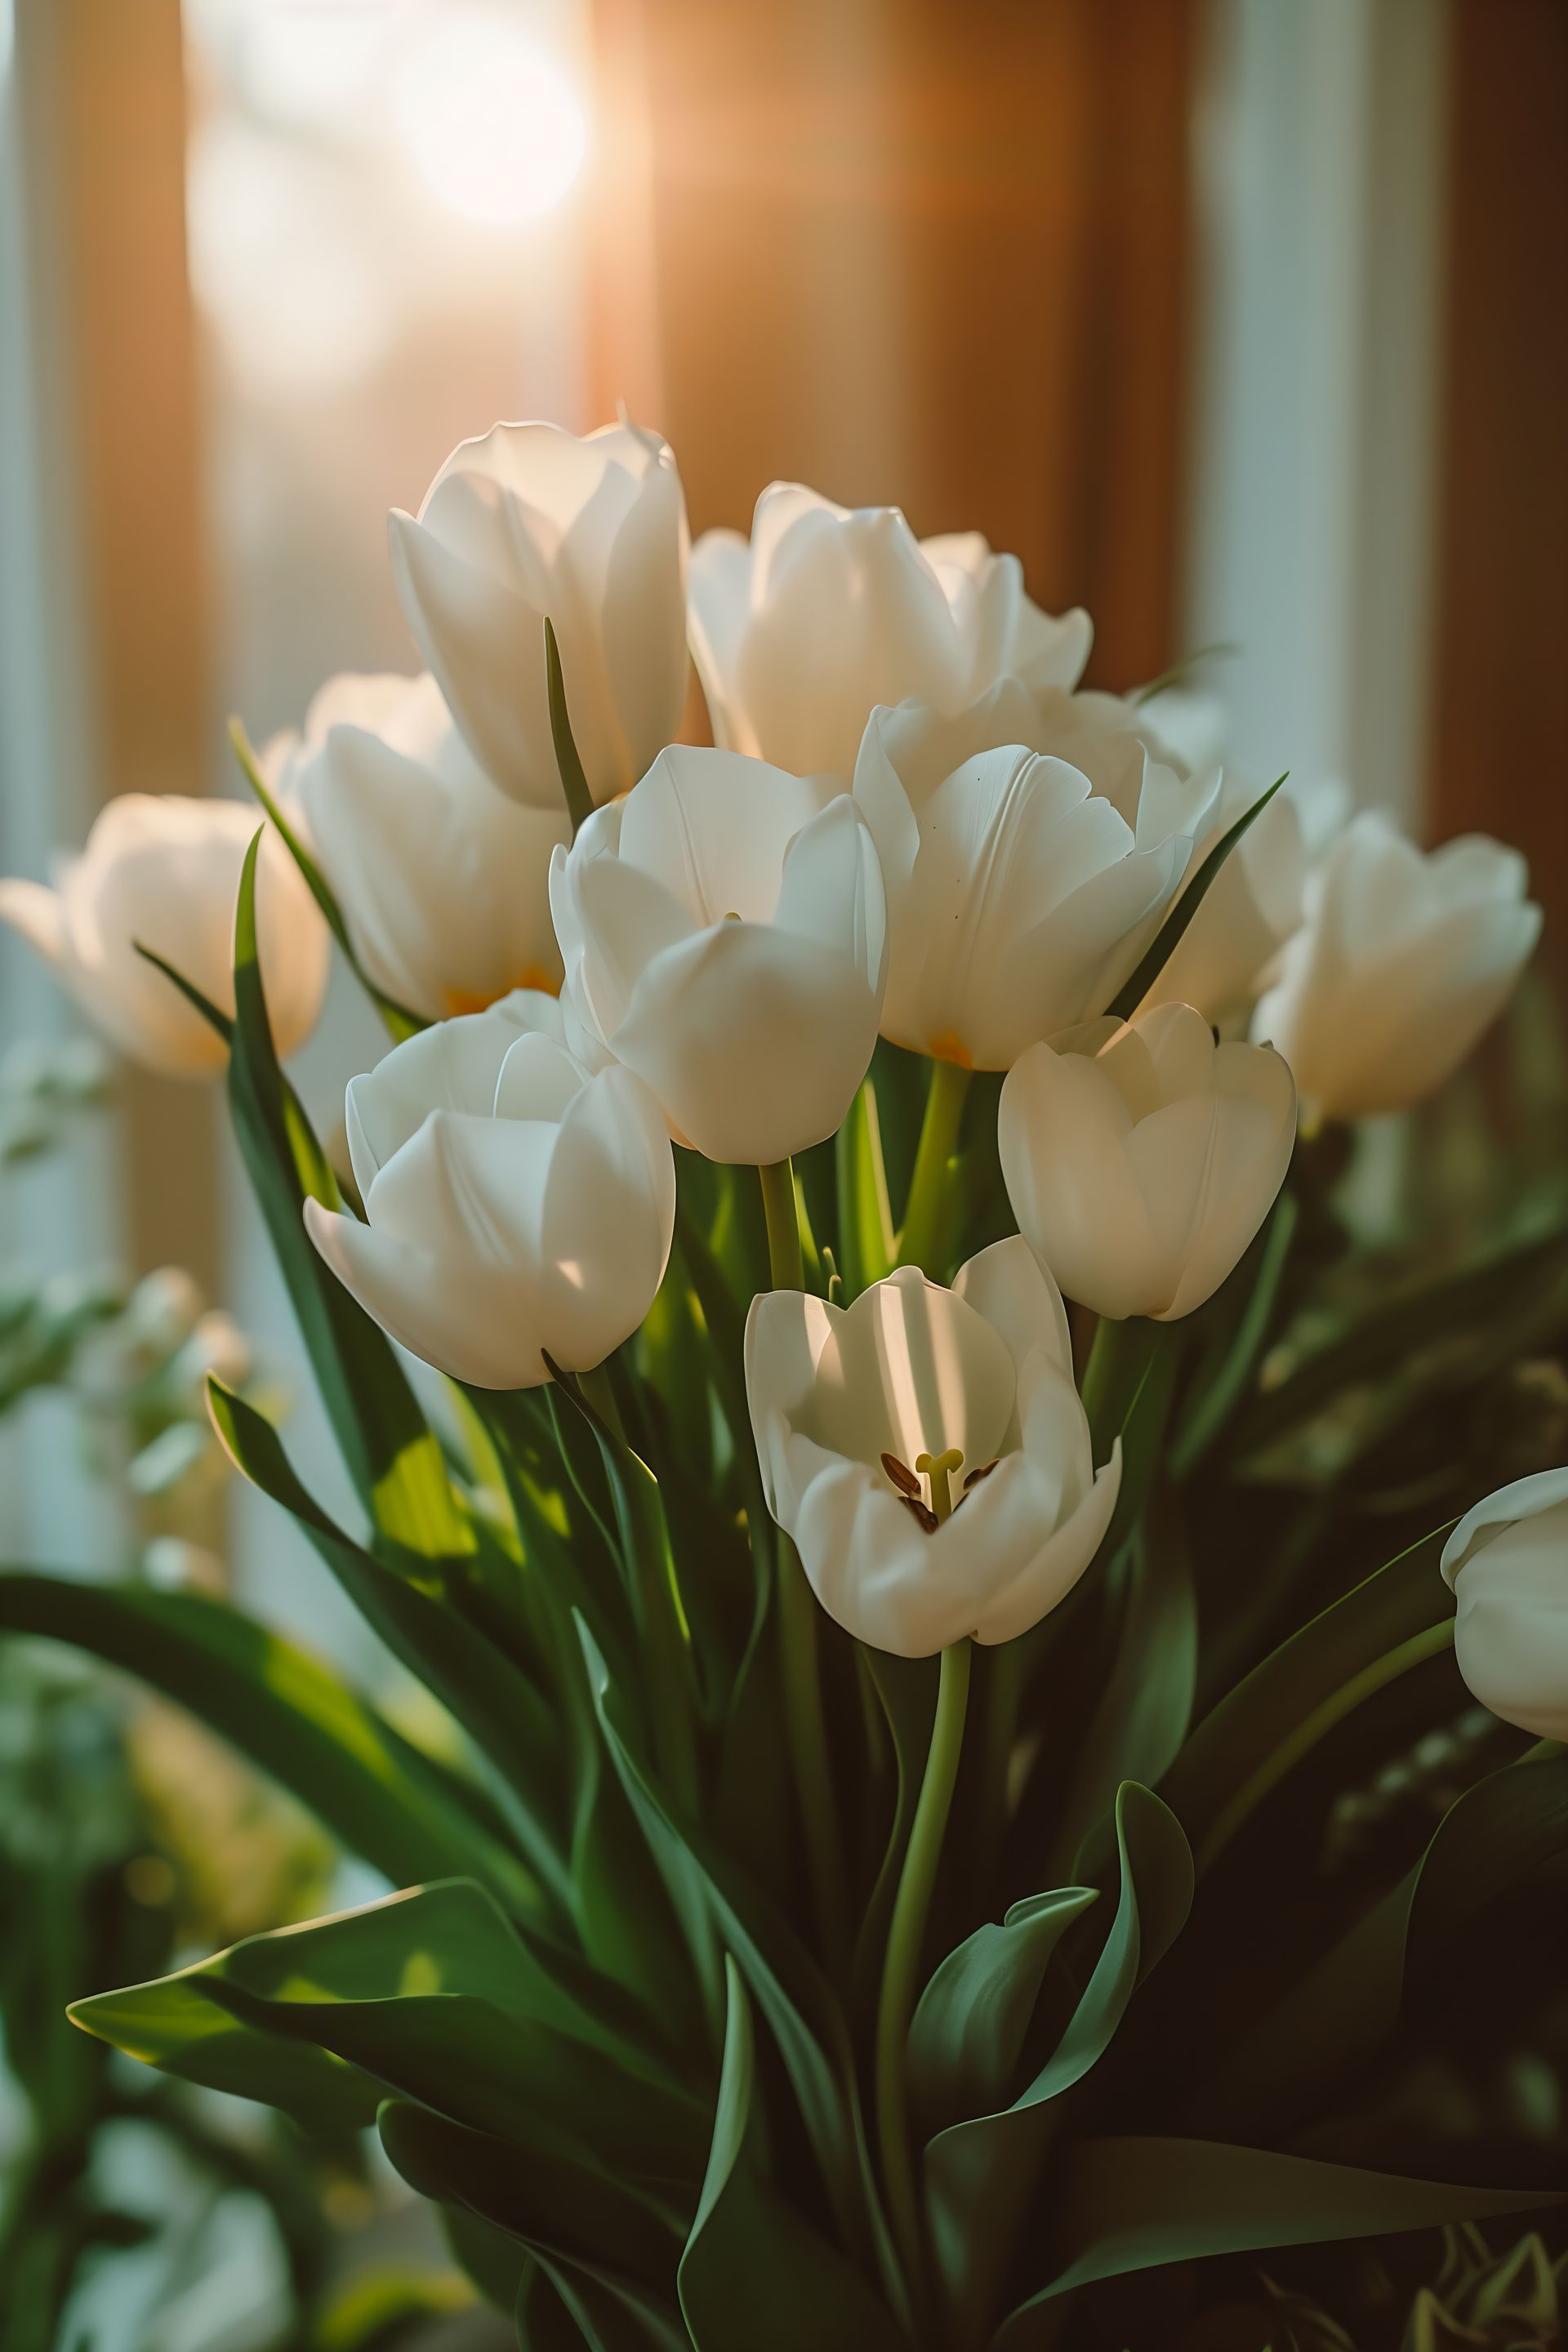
pixel 725 937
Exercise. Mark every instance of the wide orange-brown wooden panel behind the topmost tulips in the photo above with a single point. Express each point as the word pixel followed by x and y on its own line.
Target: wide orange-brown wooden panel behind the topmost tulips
pixel 939 258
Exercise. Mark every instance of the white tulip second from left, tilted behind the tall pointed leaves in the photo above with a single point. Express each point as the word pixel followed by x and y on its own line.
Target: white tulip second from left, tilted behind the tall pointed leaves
pixel 443 881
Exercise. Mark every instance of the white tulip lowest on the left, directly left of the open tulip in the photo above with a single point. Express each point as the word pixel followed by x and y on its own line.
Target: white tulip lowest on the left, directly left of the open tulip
pixel 516 1205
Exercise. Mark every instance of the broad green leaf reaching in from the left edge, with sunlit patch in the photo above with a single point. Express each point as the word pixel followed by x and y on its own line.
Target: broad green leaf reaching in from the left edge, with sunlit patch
pixel 288 1713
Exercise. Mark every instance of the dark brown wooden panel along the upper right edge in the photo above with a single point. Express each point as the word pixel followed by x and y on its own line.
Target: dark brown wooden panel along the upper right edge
pixel 1503 523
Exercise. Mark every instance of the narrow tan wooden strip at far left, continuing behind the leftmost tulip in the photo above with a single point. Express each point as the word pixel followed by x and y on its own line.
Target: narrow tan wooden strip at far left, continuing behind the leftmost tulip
pixel 107 156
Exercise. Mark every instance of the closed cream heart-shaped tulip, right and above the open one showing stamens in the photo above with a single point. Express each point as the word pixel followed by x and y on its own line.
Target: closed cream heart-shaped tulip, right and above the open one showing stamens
pixel 1141 1172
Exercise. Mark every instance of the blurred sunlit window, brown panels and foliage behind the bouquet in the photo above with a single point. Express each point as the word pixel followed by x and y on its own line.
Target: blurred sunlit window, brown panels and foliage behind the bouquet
pixel 1240 321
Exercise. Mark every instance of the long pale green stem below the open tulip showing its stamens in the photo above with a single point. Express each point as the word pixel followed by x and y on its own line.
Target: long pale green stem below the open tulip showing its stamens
pixel 902 1967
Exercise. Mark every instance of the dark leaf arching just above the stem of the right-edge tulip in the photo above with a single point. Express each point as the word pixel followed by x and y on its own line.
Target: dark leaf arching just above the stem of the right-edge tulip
pixel 1308 1673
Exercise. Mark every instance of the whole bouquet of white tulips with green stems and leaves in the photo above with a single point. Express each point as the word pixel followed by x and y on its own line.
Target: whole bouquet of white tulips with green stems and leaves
pixel 866 1201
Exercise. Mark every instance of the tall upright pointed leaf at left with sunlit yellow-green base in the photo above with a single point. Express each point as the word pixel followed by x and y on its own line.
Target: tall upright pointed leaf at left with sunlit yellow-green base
pixel 380 1426
